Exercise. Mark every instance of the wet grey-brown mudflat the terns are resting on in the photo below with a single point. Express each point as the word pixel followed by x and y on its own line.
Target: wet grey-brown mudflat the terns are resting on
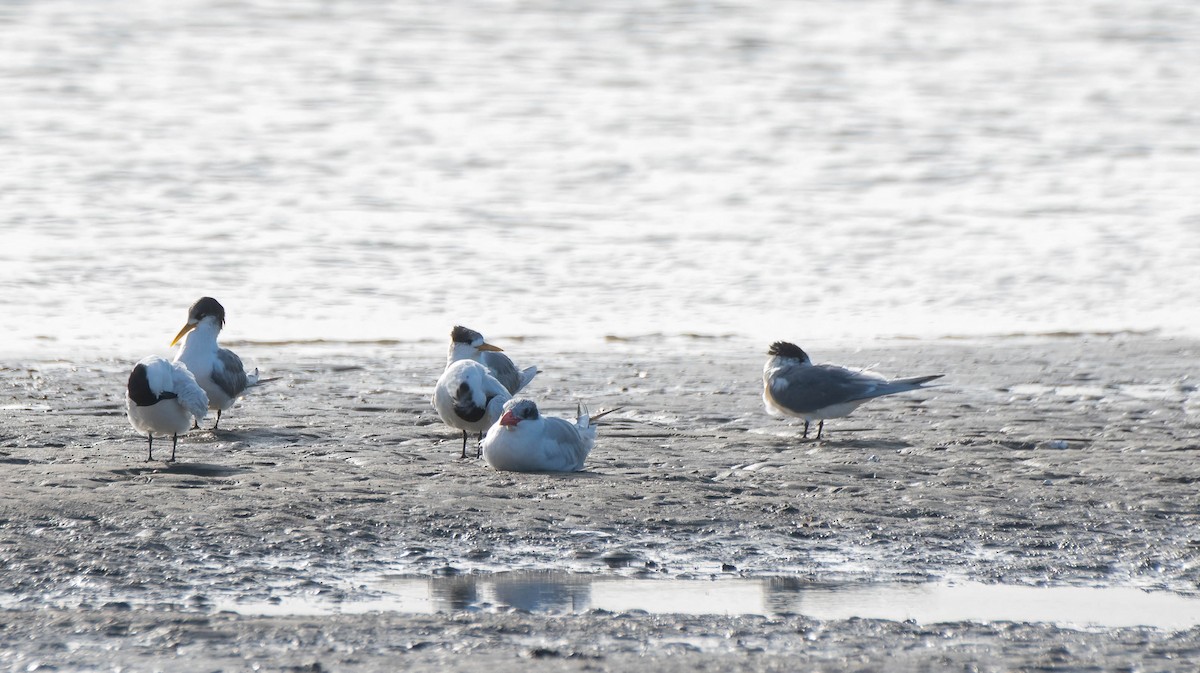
pixel 1043 461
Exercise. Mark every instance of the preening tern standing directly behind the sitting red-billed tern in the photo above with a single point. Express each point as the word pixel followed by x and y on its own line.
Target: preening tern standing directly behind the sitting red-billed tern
pixel 469 398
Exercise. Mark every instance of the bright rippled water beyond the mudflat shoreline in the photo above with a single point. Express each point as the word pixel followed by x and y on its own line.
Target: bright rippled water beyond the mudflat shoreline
pixel 769 170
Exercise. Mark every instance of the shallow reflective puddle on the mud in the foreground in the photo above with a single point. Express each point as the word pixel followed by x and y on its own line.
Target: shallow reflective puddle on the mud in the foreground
pixel 1107 608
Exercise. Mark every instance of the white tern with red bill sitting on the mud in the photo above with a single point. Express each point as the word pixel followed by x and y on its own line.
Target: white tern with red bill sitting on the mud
pixel 525 441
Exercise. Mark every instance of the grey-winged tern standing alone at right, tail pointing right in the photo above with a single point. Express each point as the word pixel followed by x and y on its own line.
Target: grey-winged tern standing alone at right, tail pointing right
pixel 795 387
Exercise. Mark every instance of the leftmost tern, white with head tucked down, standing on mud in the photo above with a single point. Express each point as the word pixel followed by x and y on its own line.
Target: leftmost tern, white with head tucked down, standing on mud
pixel 164 398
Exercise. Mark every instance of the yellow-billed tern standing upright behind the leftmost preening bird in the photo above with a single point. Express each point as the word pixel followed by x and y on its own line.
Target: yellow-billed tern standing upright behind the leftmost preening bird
pixel 218 370
